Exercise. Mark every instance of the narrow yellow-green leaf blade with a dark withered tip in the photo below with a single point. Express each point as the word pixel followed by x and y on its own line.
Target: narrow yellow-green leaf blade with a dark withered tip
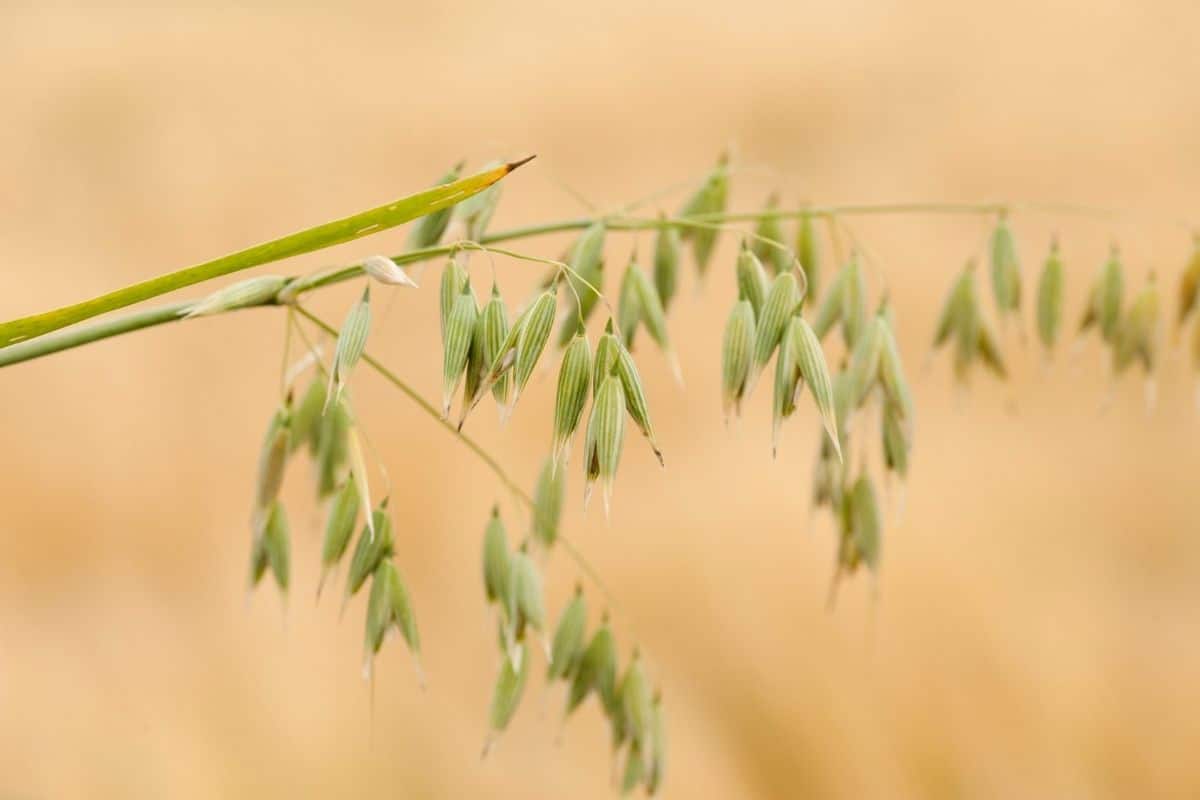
pixel 305 242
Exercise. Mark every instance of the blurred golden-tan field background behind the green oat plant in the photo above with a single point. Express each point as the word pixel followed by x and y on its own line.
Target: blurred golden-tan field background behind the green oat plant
pixel 1034 631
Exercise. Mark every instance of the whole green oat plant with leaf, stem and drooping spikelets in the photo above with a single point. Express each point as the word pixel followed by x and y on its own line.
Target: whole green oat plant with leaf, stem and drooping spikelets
pixel 803 321
